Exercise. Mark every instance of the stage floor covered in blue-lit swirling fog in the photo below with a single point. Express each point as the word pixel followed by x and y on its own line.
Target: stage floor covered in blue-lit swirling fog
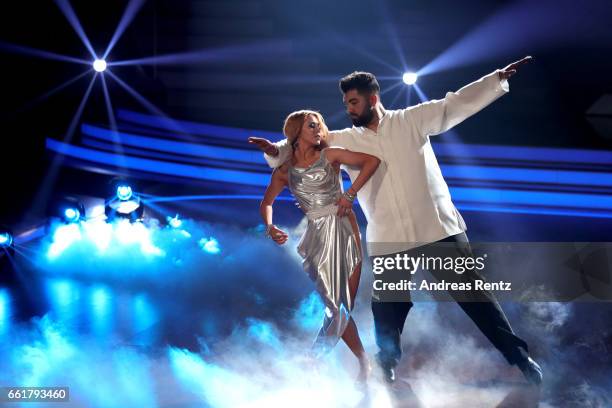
pixel 214 314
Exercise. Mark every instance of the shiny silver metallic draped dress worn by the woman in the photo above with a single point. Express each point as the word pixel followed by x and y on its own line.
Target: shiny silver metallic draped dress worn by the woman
pixel 328 246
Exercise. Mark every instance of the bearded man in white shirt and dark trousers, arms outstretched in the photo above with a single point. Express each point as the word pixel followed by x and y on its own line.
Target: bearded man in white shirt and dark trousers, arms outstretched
pixel 407 203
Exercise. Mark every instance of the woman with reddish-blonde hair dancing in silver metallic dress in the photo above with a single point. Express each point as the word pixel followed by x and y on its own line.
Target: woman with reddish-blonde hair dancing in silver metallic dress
pixel 330 247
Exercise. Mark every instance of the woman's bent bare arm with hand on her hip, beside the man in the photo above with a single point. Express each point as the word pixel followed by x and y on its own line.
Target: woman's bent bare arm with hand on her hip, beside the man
pixel 366 162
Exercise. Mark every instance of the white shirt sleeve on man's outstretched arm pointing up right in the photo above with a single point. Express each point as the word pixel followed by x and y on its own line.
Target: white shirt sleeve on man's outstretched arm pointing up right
pixel 439 115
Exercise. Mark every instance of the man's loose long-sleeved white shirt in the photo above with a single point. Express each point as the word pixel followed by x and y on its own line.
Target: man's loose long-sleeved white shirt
pixel 407 202
